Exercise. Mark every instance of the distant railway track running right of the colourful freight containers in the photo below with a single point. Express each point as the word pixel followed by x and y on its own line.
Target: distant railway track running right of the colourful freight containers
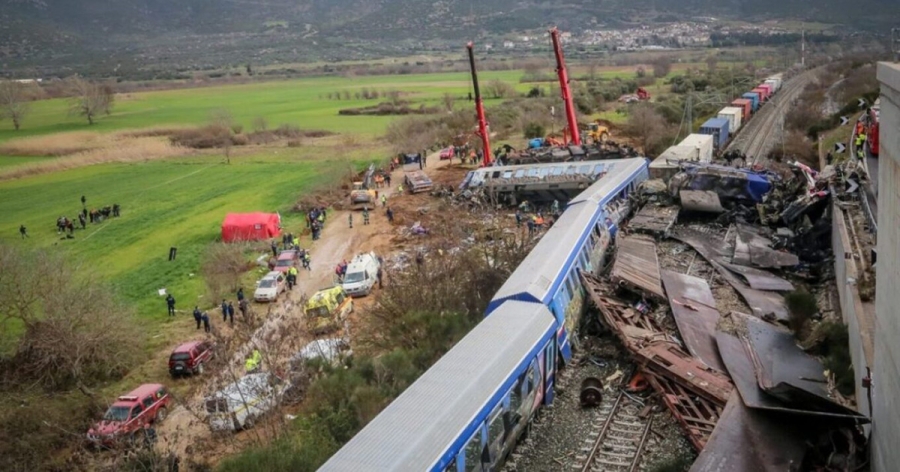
pixel 760 136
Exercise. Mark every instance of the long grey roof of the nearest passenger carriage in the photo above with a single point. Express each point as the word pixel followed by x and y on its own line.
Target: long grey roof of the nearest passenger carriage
pixel 418 428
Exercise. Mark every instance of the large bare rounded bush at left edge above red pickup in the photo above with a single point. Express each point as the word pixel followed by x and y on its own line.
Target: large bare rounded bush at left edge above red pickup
pixel 75 334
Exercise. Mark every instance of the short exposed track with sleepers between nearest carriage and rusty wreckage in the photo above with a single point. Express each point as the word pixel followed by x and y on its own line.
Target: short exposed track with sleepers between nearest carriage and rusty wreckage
pixel 619 438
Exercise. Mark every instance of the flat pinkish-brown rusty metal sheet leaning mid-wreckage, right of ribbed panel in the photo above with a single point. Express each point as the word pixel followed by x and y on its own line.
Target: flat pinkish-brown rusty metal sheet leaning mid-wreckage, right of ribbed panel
pixel 695 313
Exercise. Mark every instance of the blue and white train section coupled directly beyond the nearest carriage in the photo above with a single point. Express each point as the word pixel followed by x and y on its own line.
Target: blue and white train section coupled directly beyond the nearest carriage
pixel 577 241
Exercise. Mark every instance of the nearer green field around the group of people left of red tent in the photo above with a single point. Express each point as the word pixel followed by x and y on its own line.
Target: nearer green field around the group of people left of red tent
pixel 176 202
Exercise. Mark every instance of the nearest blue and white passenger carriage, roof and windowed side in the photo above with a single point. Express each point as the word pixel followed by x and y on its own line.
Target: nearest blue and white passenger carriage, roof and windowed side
pixel 467 411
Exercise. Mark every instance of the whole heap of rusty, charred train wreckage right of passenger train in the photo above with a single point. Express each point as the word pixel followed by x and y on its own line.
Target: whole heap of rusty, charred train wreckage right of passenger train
pixel 747 396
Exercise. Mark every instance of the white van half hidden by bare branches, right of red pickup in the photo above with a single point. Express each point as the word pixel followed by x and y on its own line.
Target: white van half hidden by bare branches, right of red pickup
pixel 239 404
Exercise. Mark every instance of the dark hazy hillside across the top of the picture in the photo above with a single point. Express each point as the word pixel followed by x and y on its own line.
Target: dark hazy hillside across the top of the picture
pixel 39 31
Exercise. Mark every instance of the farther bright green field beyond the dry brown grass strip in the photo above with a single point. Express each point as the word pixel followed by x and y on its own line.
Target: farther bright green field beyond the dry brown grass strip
pixel 302 102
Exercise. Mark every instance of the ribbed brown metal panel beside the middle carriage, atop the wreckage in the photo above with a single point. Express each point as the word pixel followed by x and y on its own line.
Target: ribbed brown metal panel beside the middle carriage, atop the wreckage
pixel 637 266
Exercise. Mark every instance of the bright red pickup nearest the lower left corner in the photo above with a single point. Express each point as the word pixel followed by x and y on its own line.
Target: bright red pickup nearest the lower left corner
pixel 131 414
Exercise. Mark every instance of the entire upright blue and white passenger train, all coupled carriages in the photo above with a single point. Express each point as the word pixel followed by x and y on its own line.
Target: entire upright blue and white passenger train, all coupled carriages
pixel 467 411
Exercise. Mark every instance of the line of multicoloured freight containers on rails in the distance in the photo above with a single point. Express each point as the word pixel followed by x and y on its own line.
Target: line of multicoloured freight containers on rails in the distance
pixel 716 133
